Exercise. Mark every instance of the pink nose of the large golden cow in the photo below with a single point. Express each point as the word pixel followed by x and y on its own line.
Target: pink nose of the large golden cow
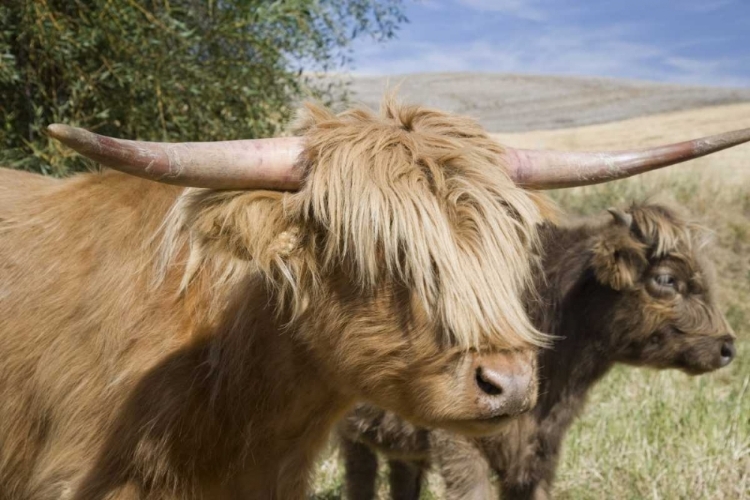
pixel 506 383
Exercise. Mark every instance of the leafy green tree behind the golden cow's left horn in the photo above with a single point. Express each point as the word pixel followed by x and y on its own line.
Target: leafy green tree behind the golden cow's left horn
pixel 169 69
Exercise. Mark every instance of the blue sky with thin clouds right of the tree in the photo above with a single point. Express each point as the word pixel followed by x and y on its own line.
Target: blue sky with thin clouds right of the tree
pixel 681 41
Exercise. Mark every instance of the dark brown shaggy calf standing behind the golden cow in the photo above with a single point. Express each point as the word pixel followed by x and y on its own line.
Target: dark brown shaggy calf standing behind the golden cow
pixel 636 290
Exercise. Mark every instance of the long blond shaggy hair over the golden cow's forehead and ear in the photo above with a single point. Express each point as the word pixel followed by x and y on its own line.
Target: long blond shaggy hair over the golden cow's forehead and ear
pixel 410 195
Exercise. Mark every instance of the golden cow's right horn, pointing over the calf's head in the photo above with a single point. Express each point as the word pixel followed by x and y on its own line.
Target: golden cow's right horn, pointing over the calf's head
pixel 555 169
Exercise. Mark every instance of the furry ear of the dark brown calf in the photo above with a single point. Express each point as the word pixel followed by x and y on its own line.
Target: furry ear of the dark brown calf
pixel 619 258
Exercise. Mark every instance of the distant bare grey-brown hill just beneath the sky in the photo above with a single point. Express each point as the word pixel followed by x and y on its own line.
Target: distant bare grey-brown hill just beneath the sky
pixel 521 103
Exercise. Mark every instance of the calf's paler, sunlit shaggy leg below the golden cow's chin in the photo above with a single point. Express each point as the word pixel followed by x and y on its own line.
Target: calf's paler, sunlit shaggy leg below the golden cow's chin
pixel 463 467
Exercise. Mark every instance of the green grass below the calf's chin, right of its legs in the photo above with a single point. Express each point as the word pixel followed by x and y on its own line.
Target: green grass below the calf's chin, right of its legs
pixel 662 434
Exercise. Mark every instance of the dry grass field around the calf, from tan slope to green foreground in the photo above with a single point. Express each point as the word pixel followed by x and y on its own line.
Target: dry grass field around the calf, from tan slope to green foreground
pixel 648 434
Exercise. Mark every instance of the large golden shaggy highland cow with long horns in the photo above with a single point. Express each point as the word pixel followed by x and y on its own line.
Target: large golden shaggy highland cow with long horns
pixel 168 343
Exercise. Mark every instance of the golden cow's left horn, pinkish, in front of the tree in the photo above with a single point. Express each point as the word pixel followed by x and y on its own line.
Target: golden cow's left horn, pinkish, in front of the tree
pixel 245 164
